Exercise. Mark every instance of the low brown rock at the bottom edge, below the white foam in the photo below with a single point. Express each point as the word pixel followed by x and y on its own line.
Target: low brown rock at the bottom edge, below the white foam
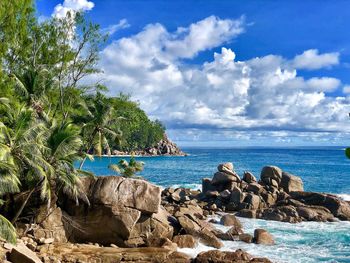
pixel 216 256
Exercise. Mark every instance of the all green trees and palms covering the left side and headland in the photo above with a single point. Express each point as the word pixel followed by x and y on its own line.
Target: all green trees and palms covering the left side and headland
pixel 50 120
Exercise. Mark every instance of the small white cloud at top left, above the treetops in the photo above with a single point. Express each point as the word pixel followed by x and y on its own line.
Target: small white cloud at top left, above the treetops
pixel 72 6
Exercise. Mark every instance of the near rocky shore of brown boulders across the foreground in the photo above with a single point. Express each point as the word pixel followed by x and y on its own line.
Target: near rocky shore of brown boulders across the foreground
pixel 132 220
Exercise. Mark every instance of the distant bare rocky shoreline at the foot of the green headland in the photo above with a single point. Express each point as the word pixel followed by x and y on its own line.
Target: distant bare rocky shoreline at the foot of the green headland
pixel 164 147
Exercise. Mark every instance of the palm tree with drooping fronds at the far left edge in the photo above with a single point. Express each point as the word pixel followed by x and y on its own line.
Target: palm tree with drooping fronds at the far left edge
pixel 22 142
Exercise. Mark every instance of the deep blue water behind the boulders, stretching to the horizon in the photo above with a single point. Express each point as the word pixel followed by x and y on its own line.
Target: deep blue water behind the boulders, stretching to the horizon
pixel 322 169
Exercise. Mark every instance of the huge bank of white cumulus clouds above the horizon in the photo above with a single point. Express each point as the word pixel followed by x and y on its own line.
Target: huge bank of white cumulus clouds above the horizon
pixel 260 94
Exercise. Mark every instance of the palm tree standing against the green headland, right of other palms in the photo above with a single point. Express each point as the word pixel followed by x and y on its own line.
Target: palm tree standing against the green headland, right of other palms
pixel 96 128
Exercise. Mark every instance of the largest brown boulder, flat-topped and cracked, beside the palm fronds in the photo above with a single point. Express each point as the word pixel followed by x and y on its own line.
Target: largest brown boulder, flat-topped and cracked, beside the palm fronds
pixel 122 211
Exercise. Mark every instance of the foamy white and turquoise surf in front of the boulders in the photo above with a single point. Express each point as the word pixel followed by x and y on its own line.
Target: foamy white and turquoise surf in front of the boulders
pixel 307 242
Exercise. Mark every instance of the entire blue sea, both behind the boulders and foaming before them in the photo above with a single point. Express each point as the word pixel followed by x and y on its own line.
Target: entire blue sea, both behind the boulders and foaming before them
pixel 322 169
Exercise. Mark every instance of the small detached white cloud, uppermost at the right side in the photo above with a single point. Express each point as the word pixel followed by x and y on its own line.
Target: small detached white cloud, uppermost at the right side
pixel 311 59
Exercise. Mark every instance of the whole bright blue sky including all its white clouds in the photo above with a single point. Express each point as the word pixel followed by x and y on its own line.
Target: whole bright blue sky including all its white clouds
pixel 228 73
